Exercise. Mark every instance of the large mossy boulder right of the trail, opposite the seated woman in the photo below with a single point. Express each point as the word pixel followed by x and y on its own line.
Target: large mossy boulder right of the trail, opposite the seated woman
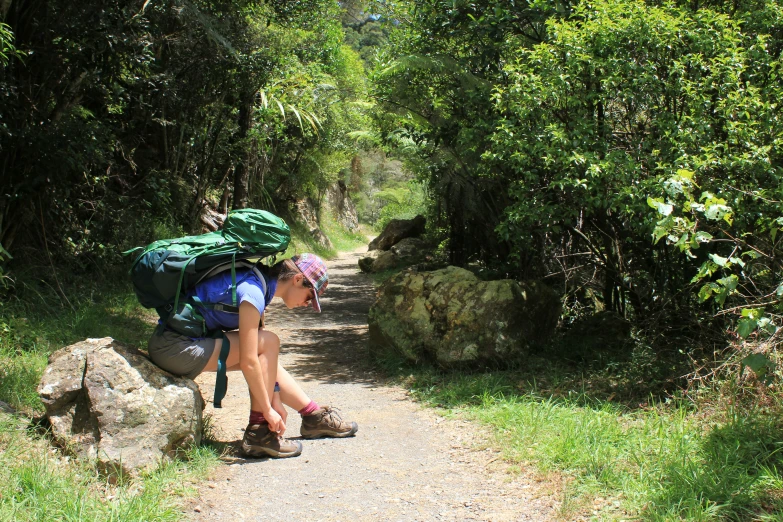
pixel 452 318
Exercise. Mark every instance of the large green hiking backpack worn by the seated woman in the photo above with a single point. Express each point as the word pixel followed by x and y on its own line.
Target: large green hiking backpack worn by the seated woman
pixel 165 269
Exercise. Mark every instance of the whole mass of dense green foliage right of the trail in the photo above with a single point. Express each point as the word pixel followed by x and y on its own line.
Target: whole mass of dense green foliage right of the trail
pixel 629 152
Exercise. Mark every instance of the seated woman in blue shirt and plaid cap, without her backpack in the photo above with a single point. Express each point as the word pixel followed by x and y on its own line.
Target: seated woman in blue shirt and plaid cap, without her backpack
pixel 253 350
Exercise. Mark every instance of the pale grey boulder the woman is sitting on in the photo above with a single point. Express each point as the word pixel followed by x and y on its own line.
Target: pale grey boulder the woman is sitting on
pixel 110 403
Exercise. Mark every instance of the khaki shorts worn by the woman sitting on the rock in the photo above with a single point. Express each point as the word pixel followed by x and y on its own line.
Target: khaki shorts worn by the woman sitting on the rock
pixel 178 354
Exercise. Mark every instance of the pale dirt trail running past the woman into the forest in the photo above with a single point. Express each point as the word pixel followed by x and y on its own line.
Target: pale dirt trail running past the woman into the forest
pixel 405 463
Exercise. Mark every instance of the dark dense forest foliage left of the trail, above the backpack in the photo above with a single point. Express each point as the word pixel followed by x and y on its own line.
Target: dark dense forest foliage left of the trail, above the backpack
pixel 117 116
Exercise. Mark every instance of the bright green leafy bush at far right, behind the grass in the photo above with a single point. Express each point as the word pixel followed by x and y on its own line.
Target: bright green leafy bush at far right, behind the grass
pixel 628 107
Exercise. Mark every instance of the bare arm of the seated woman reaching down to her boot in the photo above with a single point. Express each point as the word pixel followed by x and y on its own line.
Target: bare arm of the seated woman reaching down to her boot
pixel 259 366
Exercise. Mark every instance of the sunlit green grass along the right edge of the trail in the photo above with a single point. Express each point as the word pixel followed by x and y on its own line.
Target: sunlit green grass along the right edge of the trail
pixel 659 461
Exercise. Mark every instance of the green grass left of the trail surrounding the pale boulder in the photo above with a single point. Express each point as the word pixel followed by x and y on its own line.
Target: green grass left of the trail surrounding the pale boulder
pixel 38 482
